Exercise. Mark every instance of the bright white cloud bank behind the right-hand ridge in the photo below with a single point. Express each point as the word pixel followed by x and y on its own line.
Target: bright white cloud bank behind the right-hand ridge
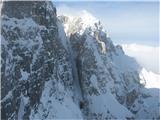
pixel 146 56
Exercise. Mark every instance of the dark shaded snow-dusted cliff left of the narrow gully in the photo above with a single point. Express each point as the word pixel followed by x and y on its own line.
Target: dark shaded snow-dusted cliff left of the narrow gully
pixel 36 68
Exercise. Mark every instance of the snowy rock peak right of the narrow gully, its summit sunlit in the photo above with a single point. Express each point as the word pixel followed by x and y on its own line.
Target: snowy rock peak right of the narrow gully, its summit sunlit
pixel 105 70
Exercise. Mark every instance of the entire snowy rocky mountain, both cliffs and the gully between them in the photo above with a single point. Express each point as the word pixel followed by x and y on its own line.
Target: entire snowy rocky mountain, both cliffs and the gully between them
pixel 47 75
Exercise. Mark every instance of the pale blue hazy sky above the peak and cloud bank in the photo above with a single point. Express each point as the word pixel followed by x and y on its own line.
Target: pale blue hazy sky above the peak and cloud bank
pixel 126 22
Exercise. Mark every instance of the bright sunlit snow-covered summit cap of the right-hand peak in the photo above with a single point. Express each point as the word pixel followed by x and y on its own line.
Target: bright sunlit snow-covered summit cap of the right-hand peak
pixel 83 21
